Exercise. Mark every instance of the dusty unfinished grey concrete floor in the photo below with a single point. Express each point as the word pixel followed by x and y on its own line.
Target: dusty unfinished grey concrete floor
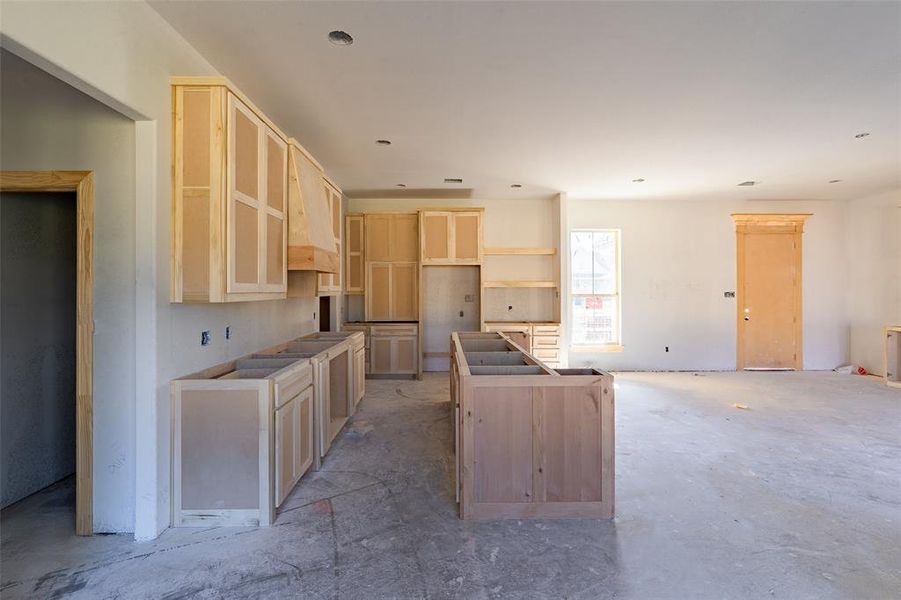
pixel 799 496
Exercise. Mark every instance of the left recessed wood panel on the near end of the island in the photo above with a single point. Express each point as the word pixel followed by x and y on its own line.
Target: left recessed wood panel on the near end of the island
pixel 503 444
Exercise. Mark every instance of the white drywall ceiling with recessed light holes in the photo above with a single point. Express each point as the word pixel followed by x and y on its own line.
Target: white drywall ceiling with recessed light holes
pixel 579 97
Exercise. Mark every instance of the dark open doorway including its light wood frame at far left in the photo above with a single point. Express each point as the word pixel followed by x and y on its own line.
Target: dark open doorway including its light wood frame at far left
pixel 47 313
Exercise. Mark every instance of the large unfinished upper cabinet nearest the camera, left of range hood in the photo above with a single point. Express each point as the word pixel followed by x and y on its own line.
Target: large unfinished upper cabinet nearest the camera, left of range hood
pixel 229 226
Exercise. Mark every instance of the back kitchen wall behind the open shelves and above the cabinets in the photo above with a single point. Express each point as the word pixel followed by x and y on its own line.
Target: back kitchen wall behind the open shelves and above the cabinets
pixel 523 222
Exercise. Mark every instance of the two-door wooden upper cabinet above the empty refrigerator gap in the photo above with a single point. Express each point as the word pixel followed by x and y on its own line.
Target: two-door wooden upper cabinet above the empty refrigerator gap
pixel 451 237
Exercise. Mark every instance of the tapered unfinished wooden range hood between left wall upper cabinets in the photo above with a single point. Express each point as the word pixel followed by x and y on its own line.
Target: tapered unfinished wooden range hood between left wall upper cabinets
pixel 311 241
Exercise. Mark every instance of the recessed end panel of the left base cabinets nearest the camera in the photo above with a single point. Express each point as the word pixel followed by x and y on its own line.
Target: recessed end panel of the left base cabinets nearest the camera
pixel 220 456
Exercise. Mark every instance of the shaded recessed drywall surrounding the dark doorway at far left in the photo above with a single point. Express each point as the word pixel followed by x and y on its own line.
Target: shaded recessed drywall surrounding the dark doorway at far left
pixel 48 125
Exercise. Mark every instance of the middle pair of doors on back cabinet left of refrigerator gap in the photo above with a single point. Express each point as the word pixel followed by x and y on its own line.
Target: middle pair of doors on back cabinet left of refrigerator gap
pixel 392 291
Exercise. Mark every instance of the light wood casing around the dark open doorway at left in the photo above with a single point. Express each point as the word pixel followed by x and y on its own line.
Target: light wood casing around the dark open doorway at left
pixel 82 183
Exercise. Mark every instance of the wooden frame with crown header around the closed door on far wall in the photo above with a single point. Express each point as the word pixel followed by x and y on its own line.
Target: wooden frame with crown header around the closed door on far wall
pixel 768 223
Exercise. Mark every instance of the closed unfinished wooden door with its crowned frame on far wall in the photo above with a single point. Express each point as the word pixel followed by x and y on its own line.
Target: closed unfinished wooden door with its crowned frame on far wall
pixel 769 291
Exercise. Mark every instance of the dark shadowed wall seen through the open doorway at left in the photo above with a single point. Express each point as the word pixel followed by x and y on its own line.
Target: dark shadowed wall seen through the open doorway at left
pixel 37 340
